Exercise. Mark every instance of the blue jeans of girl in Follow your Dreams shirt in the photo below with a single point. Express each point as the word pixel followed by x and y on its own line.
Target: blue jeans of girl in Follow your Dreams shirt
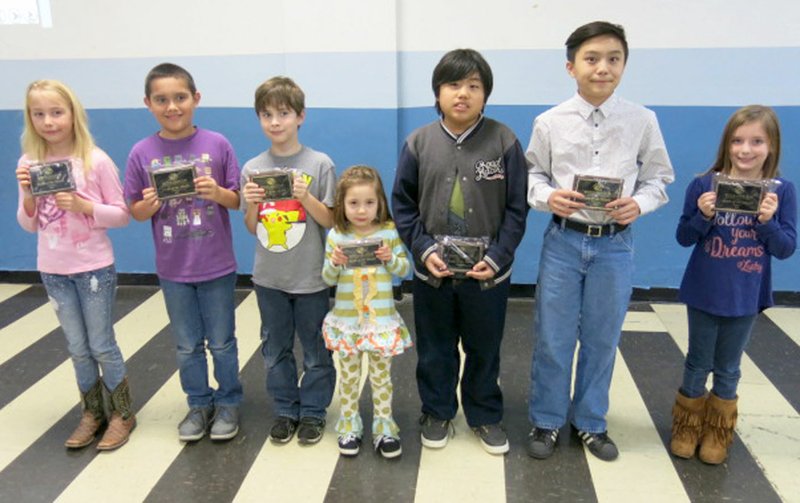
pixel 716 344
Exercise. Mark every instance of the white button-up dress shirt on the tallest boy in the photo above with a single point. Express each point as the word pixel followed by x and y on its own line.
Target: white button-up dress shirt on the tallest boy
pixel 617 139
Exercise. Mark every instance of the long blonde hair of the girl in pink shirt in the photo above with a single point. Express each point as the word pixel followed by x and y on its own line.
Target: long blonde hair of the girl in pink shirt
pixel 35 147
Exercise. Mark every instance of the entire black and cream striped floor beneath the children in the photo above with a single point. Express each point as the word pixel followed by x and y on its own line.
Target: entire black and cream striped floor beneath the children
pixel 39 407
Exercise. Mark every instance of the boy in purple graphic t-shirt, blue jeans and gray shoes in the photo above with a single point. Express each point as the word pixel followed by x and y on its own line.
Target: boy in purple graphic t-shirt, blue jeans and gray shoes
pixel 194 250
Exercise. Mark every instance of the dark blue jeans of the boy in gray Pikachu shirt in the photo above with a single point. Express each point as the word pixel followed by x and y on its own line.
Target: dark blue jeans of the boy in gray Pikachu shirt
pixel 283 314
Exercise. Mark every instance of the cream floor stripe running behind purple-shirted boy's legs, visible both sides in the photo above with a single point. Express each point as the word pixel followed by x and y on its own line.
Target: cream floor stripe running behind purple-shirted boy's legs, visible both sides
pixel 134 469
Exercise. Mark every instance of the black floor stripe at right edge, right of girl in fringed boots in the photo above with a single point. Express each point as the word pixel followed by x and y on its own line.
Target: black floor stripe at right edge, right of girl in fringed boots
pixel 777 356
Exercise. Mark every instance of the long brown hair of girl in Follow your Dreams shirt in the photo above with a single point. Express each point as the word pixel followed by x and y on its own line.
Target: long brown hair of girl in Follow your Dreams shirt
pixel 746 115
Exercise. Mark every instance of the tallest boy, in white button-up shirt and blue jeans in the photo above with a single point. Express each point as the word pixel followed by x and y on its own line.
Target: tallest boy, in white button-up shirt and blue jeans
pixel 586 265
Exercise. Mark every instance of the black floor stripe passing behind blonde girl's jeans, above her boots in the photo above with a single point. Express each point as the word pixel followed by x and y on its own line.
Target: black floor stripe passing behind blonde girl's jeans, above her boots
pixel 39 359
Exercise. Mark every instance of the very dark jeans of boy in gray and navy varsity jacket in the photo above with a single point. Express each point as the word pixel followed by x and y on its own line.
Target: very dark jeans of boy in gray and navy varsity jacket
pixel 460 311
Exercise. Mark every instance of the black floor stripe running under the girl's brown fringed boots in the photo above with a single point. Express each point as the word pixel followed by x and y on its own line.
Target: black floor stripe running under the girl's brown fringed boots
pixel 656 363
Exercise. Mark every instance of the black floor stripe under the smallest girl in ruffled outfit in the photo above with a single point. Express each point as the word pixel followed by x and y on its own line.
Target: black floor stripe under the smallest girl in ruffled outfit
pixel 368 477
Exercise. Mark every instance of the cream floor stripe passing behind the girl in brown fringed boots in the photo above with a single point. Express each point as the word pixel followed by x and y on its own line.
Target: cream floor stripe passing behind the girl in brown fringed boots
pixel 767 424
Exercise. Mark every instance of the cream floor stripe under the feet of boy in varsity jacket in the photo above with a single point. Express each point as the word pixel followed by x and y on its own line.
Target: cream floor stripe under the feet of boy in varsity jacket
pixel 442 473
